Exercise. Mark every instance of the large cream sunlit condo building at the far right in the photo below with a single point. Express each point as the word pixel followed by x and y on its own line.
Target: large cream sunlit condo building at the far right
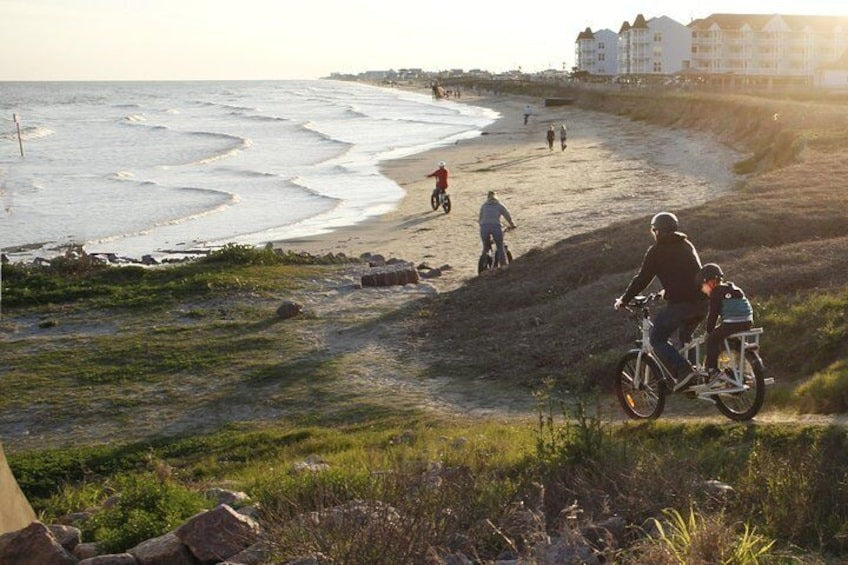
pixel 775 46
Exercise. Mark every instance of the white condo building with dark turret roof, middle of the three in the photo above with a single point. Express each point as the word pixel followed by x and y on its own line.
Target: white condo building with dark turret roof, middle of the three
pixel 657 46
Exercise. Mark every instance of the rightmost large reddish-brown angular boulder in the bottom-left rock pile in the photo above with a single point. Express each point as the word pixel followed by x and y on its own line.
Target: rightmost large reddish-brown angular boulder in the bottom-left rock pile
pixel 218 534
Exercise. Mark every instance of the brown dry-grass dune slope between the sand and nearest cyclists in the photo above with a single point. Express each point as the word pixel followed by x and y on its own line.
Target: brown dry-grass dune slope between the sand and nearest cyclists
pixel 785 231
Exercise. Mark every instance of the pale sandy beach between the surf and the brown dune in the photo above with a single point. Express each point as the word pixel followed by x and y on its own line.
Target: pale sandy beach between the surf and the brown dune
pixel 613 168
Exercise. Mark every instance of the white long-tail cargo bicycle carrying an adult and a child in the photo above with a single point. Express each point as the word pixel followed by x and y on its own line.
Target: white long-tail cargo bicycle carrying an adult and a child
pixel 642 381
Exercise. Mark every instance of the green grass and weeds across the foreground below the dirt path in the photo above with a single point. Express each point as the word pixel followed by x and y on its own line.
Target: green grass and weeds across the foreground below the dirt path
pixel 789 481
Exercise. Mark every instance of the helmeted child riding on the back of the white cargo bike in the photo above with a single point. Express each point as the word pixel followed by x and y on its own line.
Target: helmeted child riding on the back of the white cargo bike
pixel 729 302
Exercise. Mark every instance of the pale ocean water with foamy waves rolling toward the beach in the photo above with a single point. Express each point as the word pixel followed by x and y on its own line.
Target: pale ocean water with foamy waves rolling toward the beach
pixel 176 168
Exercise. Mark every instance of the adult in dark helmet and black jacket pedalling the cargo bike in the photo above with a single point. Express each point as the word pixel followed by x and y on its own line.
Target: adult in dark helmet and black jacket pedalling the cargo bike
pixel 675 262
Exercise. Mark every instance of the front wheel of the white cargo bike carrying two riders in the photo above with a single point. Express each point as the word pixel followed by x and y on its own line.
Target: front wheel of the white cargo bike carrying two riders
pixel 645 399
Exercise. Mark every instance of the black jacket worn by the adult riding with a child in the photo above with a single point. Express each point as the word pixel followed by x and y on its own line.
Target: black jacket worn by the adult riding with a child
pixel 674 261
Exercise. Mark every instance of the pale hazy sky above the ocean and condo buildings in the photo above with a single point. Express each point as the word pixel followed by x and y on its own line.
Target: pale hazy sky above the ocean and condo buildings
pixel 306 39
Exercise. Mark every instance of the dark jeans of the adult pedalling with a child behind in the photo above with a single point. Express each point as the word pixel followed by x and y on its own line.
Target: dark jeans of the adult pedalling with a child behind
pixel 681 316
